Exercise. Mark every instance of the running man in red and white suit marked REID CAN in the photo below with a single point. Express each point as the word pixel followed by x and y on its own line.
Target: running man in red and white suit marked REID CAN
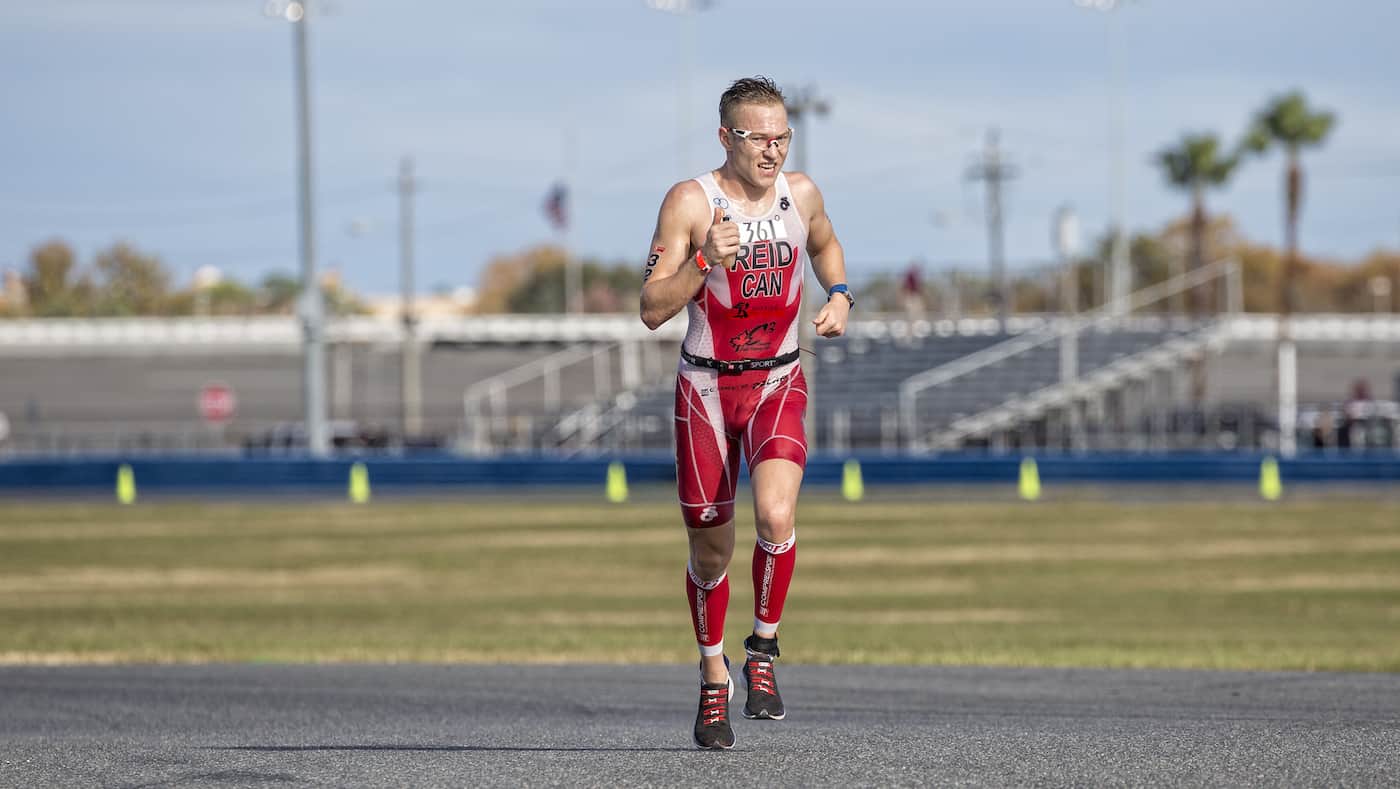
pixel 733 247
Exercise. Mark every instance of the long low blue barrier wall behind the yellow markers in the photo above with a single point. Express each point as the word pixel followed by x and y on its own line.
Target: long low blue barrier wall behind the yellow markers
pixel 304 475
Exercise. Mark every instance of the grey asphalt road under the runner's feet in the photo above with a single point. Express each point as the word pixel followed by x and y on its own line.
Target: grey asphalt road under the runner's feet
pixel 262 725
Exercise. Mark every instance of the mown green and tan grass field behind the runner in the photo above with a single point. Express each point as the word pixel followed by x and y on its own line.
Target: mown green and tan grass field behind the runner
pixel 558 578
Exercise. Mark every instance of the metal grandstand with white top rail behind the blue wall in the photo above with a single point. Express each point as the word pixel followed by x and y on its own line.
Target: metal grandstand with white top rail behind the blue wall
pixel 604 384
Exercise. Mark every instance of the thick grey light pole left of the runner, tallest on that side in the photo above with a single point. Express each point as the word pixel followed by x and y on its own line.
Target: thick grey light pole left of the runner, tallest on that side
pixel 310 306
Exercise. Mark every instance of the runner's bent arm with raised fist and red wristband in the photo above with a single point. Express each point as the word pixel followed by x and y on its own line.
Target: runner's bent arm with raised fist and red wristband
pixel 673 276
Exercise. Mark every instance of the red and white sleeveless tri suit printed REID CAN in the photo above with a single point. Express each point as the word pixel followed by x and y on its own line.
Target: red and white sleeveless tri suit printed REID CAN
pixel 747 314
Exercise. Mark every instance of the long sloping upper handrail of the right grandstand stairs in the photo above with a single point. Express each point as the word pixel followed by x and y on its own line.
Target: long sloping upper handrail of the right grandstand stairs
pixel 1223 272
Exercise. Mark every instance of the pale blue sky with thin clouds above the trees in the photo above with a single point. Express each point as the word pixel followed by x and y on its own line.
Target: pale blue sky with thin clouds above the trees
pixel 170 124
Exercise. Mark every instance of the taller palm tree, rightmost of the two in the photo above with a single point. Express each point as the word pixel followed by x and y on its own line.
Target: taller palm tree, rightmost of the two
pixel 1289 122
